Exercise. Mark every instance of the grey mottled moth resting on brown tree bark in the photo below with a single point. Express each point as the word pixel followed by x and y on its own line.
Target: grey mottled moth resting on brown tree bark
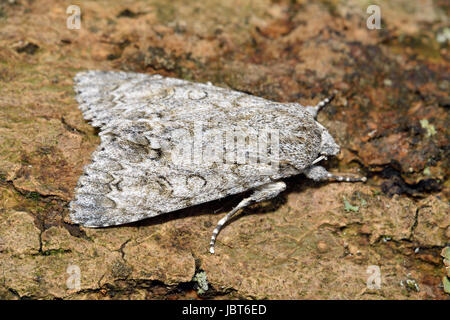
pixel 168 144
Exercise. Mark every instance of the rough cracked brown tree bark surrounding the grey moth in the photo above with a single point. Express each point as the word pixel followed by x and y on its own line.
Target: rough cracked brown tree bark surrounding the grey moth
pixel 316 240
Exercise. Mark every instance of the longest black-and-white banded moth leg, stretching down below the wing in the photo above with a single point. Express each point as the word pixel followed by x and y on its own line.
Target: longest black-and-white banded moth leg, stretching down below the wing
pixel 262 193
